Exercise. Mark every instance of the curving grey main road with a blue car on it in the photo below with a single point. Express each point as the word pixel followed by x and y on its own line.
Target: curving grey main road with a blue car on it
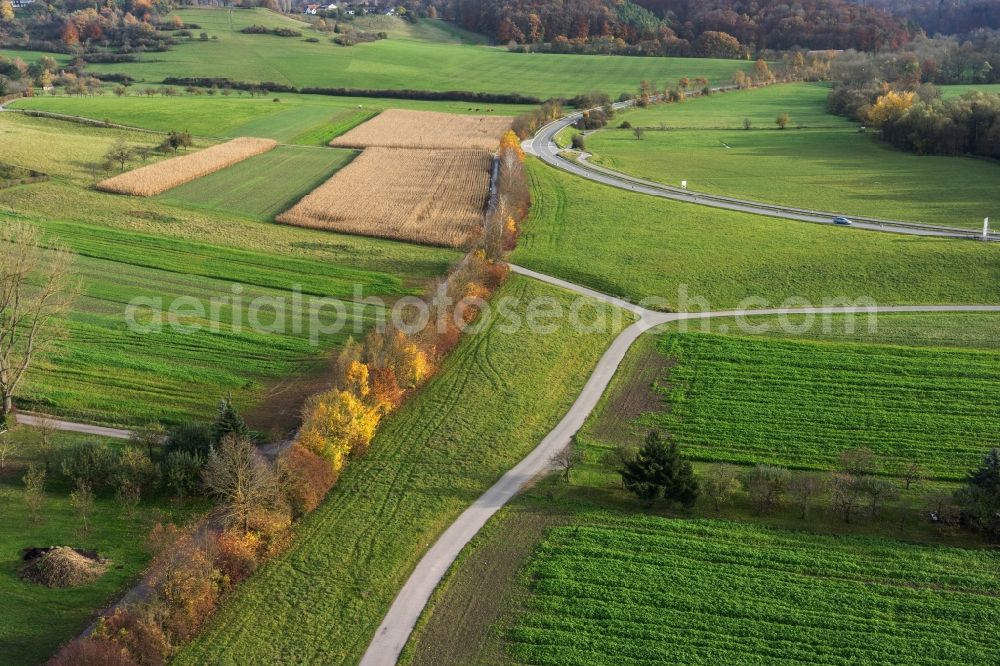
pixel 543 146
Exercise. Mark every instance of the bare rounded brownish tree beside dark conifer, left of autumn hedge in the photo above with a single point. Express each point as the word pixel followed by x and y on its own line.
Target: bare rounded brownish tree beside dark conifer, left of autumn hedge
pixel 241 480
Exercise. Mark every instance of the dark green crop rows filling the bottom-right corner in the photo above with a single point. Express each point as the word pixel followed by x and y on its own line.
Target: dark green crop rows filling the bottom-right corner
pixel 650 590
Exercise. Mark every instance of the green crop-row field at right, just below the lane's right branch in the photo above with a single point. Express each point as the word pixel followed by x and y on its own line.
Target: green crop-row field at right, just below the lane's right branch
pixel 799 404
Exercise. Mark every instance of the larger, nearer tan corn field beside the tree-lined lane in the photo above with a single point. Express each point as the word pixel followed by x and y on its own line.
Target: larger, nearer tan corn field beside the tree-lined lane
pixel 424 196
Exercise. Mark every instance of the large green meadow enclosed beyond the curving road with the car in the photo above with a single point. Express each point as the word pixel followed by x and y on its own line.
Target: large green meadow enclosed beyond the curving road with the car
pixel 835 170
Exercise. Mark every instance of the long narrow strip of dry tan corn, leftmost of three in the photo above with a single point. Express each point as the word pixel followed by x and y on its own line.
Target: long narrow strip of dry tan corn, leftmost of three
pixel 157 178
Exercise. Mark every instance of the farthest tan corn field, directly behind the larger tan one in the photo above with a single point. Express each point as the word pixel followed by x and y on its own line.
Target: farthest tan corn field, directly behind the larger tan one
pixel 397 128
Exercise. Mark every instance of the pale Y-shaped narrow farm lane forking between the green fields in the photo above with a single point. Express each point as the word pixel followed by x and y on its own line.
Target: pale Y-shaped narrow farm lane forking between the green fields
pixel 406 609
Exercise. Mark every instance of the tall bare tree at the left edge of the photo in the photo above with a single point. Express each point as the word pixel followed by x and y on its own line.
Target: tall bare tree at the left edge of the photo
pixel 35 288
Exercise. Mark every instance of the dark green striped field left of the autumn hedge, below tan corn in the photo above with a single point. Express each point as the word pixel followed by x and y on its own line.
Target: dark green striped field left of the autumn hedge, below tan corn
pixel 104 371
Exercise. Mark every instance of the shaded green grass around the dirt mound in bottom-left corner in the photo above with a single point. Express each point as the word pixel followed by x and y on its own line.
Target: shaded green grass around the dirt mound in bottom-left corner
pixel 35 620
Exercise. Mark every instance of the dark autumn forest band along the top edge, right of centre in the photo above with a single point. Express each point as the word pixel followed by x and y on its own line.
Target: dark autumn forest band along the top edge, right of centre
pixel 717 28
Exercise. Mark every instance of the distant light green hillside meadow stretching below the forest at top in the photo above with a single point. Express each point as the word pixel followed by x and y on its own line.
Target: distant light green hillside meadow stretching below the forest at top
pixel 428 59
